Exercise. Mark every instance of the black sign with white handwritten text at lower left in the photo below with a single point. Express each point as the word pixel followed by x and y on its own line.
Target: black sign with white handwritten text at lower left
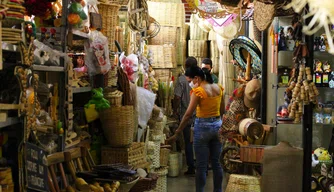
pixel 36 168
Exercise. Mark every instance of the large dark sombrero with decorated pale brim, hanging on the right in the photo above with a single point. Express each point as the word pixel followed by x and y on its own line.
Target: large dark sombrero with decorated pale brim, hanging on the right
pixel 244 43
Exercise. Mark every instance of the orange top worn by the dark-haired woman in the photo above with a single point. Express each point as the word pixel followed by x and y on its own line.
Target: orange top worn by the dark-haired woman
pixel 208 106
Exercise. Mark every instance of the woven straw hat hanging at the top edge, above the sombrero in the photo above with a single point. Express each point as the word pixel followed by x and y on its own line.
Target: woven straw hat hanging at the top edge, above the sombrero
pixel 266 10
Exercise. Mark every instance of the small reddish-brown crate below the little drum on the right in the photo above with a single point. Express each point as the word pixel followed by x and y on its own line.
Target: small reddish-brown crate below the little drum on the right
pixel 252 153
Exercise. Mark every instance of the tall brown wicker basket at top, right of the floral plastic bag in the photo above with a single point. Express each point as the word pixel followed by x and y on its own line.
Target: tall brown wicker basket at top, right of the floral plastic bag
pixel 110 20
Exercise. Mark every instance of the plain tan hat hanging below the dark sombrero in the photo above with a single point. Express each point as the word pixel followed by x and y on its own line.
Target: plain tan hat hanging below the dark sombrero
pixel 252 94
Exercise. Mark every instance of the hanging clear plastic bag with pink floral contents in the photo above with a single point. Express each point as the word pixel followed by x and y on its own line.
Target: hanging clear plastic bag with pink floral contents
pixel 97 57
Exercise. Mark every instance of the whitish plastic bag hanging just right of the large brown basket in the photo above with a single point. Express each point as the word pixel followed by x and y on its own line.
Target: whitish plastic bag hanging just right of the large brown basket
pixel 146 101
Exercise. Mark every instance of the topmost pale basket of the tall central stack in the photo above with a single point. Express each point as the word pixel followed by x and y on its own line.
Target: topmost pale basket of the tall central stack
pixel 167 14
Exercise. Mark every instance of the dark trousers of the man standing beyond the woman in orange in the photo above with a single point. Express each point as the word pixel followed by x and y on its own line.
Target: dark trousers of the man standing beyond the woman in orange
pixel 188 148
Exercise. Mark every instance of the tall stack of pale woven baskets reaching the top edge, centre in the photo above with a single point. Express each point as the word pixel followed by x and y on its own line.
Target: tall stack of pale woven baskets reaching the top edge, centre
pixel 167 44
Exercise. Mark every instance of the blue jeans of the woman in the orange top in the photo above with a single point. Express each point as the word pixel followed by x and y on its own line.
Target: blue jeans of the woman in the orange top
pixel 206 140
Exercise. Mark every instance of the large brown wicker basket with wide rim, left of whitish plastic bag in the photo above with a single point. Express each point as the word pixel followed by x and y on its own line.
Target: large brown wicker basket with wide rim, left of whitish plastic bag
pixel 118 125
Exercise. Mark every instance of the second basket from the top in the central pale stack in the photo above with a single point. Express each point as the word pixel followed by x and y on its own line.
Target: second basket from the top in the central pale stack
pixel 166 35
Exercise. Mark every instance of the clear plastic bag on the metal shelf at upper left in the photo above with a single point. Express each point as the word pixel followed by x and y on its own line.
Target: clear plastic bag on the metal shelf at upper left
pixel 45 55
